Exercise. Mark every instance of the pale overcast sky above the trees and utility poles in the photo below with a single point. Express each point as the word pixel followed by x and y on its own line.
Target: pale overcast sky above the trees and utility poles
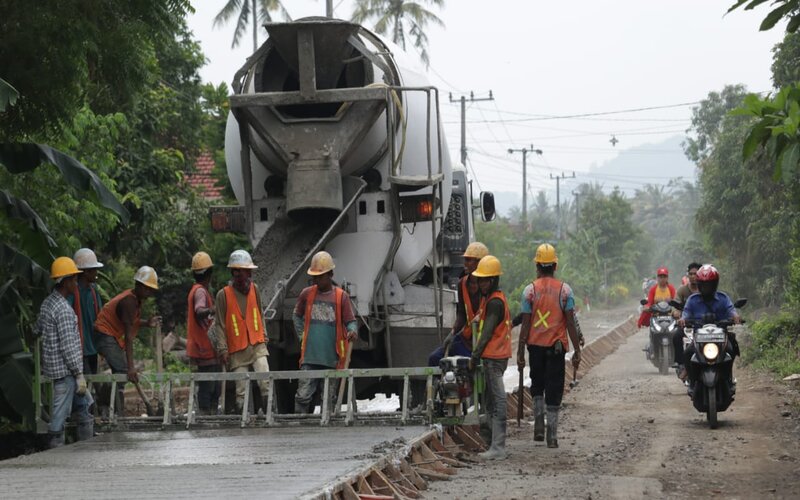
pixel 556 58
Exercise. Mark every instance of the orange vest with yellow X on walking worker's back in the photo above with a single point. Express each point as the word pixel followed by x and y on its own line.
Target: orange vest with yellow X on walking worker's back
pixel 548 322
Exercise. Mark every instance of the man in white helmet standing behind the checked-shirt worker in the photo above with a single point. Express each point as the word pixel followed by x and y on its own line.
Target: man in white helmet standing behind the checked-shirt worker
pixel 87 304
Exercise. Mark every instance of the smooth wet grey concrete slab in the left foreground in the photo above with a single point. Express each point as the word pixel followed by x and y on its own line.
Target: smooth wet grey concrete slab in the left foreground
pixel 245 463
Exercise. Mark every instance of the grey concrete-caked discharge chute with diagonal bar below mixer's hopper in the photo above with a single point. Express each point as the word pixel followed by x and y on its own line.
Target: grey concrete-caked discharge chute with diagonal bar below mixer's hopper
pixel 283 254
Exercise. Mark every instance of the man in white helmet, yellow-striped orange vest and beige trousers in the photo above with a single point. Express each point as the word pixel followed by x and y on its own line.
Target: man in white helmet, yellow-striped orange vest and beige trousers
pixel 240 339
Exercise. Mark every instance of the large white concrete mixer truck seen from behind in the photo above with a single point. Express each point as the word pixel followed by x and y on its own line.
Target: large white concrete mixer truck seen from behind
pixel 335 142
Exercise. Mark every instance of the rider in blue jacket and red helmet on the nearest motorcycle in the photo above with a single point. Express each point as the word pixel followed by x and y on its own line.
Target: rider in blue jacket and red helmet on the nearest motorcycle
pixel 708 300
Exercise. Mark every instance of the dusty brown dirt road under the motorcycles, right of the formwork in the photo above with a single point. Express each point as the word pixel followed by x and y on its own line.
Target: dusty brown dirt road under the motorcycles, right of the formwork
pixel 627 432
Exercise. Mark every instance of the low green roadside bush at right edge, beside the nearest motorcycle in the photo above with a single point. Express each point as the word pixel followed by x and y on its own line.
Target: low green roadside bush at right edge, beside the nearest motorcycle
pixel 775 344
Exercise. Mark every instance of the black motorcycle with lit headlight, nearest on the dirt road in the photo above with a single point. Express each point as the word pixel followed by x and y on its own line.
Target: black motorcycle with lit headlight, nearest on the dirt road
pixel 714 387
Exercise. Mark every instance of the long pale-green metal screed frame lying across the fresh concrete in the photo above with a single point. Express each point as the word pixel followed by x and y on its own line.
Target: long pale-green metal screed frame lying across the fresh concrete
pixel 327 415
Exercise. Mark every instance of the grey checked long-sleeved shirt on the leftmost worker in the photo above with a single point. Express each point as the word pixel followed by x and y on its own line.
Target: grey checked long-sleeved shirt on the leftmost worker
pixel 61 343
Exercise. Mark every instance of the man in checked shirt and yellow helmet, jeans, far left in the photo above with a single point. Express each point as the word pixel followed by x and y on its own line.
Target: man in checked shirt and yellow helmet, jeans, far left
pixel 62 356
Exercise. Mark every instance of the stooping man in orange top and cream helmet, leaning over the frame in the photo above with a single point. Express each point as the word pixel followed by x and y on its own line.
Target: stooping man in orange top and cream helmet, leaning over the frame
pixel 118 325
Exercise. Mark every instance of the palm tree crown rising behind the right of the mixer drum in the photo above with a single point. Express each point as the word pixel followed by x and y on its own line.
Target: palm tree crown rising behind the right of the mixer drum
pixel 398 17
